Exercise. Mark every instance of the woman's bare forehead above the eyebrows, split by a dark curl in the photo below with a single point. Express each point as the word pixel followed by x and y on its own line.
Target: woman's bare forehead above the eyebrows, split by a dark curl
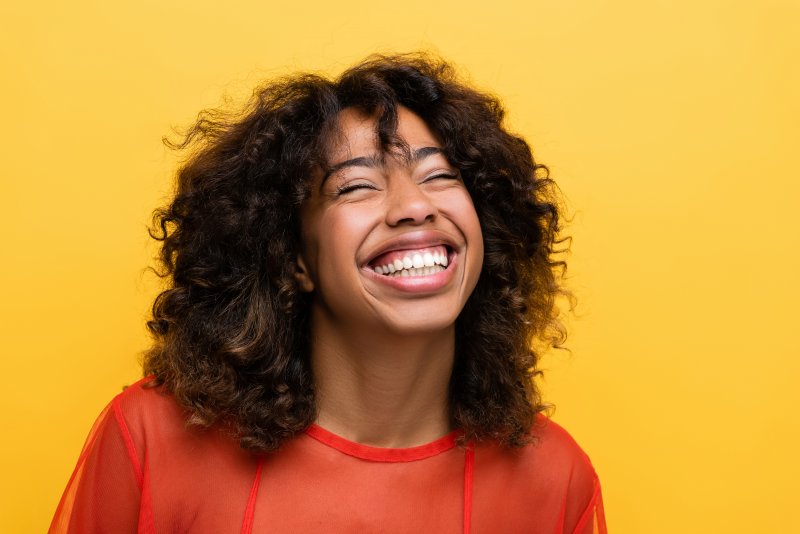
pixel 356 134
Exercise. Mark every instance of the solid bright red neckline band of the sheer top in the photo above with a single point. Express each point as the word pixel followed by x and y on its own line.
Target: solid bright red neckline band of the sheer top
pixel 383 454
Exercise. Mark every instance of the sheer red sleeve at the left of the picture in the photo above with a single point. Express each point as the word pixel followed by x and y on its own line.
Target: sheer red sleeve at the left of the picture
pixel 104 492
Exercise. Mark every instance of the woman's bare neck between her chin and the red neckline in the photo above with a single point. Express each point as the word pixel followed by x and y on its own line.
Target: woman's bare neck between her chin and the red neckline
pixel 379 388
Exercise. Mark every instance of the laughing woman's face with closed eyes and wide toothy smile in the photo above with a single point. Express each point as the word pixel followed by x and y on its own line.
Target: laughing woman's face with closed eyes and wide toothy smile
pixel 389 242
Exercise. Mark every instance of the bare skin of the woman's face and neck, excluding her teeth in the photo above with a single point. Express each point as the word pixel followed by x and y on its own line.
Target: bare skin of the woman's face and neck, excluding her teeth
pixel 382 348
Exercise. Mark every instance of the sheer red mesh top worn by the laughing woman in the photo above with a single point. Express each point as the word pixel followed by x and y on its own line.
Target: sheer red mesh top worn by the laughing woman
pixel 142 471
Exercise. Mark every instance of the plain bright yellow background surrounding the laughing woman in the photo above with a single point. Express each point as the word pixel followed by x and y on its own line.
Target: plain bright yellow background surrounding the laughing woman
pixel 672 128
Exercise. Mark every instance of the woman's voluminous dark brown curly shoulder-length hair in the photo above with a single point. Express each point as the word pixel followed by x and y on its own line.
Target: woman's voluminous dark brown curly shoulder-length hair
pixel 231 332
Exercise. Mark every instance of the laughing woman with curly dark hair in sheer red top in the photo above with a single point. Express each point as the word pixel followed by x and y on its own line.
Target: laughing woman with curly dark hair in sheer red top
pixel 359 270
